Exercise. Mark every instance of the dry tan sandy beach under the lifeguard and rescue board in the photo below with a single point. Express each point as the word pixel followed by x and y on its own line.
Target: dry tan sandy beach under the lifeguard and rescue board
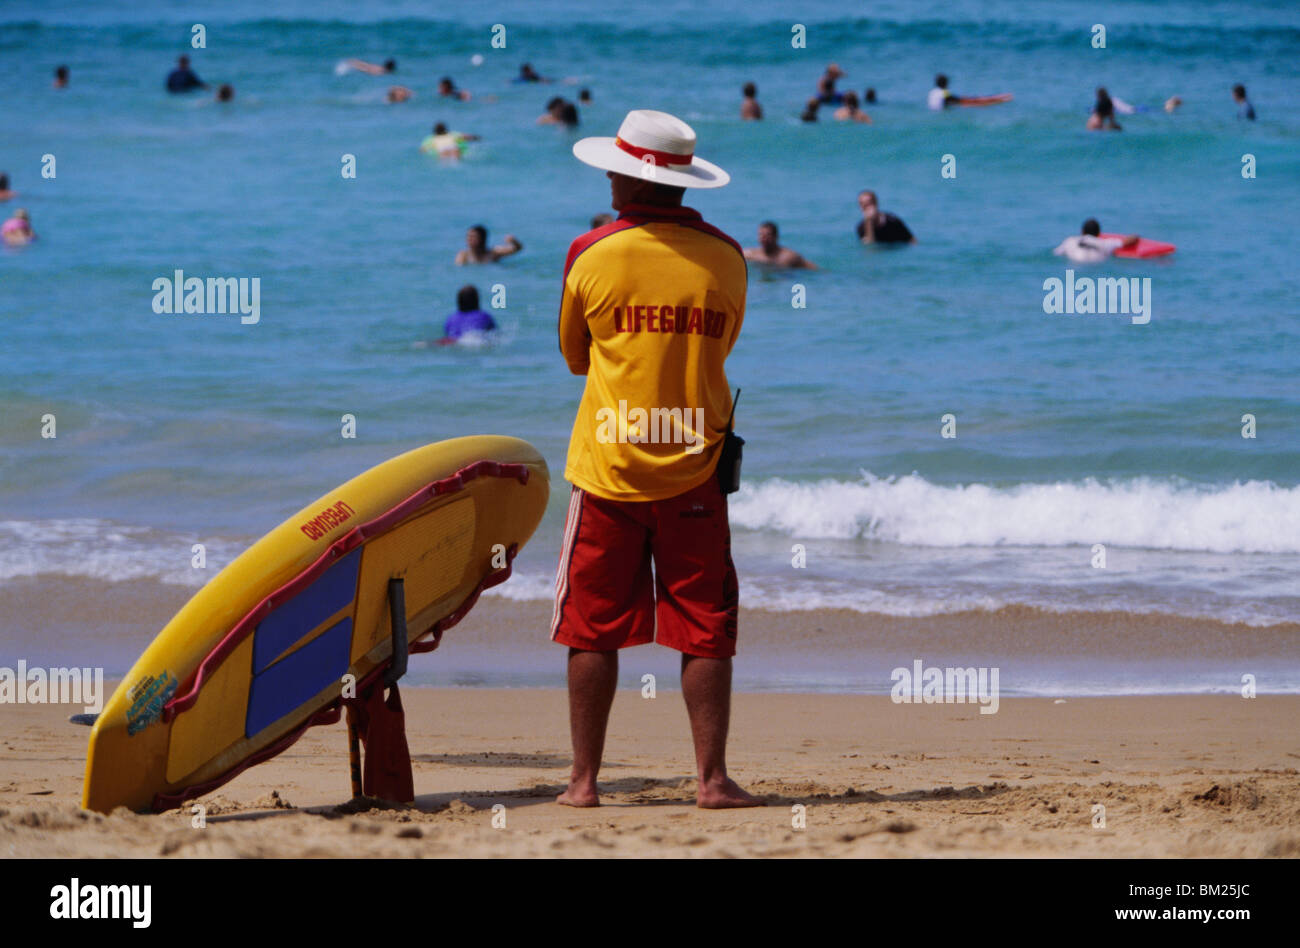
pixel 1178 777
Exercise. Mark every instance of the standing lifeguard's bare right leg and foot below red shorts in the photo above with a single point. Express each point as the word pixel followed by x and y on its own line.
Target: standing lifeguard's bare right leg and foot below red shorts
pixel 707 687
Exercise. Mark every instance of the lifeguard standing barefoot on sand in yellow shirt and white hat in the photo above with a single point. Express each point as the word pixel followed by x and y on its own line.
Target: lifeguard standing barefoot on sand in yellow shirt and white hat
pixel 652 306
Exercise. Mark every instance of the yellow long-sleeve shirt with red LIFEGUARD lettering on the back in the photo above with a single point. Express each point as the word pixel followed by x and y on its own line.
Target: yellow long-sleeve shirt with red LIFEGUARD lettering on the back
pixel 652 308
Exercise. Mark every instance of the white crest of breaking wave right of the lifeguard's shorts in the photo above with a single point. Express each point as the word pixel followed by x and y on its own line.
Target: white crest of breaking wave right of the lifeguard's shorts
pixel 1255 517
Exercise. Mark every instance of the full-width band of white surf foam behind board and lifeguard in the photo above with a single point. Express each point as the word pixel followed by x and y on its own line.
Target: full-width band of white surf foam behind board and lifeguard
pixel 1176 564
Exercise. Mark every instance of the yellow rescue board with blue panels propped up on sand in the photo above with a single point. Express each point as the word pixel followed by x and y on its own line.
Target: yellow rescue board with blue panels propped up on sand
pixel 262 652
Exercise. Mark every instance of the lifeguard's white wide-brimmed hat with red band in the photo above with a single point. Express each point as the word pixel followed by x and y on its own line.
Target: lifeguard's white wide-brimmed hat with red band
pixel 655 146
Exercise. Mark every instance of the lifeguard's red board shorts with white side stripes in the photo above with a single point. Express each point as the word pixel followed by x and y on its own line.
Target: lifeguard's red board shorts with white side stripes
pixel 606 596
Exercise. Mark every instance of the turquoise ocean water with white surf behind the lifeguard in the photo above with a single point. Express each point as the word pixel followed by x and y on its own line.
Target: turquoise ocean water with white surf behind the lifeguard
pixel 1071 431
